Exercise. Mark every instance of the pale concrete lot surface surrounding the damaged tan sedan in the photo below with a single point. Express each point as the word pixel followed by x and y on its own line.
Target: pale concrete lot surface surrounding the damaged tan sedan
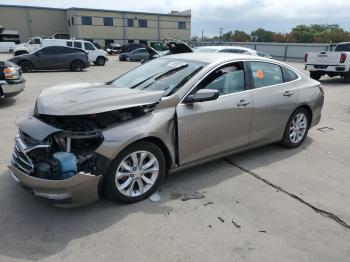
pixel 270 204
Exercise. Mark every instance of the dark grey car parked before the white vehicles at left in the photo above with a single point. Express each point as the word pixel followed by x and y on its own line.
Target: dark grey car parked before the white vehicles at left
pixel 53 58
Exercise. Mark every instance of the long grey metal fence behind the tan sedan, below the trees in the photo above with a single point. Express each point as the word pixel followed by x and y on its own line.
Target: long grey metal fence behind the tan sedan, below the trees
pixel 280 51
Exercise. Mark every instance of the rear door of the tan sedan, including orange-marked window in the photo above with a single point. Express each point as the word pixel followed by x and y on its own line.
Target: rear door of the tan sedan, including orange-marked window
pixel 275 95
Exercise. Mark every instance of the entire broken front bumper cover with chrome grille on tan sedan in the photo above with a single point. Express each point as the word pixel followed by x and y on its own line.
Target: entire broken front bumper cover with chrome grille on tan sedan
pixel 79 188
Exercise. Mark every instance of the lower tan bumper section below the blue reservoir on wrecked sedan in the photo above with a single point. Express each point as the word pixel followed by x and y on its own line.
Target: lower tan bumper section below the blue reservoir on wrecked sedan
pixel 78 190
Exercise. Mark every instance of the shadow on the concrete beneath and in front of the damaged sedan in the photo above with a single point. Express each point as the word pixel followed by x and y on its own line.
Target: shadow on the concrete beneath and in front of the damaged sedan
pixel 38 230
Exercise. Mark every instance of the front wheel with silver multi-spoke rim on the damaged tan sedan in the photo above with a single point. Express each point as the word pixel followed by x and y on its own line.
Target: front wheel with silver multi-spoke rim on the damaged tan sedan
pixel 135 173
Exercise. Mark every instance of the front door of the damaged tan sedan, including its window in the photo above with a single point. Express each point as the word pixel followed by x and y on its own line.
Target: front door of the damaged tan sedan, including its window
pixel 210 128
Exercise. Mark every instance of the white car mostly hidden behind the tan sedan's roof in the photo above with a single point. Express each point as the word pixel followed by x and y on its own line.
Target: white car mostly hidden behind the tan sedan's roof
pixel 230 49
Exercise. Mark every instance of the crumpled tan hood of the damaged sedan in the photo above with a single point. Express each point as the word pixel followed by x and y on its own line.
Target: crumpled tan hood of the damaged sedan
pixel 91 98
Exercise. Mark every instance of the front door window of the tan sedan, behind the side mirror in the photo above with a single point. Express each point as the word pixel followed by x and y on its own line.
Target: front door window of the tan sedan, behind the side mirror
pixel 227 80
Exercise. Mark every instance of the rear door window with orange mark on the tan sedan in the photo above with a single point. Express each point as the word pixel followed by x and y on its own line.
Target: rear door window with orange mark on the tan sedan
pixel 266 74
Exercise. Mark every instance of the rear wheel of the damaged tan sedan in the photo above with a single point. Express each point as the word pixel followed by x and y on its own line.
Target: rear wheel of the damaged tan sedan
pixel 297 128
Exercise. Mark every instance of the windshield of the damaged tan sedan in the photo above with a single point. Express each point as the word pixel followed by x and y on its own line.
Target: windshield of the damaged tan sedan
pixel 161 74
